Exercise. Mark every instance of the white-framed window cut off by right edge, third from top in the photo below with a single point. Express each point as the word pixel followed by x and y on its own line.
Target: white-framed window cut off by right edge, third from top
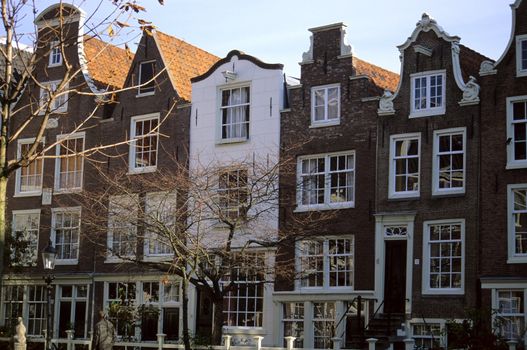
pixel 517 223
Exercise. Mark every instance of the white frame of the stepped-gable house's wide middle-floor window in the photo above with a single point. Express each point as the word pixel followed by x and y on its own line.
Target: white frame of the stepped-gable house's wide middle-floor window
pixel 327 205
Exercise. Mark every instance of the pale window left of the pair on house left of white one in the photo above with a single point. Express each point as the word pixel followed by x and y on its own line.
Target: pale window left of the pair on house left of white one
pixel 122 225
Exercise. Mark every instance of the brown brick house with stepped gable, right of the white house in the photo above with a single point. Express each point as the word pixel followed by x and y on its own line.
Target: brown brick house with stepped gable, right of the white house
pixel 327 186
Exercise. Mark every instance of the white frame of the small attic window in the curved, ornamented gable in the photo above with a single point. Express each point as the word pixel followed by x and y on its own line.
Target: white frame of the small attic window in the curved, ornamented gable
pixel 427 111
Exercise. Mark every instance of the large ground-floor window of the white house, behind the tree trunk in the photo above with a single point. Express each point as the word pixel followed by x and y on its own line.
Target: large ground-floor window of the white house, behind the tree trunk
pixel 243 304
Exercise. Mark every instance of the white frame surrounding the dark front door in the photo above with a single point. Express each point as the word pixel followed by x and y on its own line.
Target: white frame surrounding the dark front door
pixel 382 221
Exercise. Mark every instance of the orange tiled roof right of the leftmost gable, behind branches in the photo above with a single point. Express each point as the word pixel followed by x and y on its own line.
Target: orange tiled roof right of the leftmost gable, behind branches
pixel 108 65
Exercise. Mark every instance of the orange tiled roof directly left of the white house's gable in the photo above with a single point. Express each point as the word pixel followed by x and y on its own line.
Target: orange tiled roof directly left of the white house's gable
pixel 183 61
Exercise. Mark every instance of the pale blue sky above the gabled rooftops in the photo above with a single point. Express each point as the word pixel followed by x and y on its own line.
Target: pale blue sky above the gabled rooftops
pixel 276 31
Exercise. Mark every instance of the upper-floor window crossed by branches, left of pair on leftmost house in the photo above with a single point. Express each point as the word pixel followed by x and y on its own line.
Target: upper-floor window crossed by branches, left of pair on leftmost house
pixel 29 178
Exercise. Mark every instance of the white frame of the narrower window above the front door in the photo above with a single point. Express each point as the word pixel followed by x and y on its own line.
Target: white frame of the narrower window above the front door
pixel 392 193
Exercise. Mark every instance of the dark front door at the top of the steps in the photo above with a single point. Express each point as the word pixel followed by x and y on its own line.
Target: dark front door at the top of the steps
pixel 395 276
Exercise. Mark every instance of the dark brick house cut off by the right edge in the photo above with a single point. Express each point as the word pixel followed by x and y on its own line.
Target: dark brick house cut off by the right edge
pixel 503 183
